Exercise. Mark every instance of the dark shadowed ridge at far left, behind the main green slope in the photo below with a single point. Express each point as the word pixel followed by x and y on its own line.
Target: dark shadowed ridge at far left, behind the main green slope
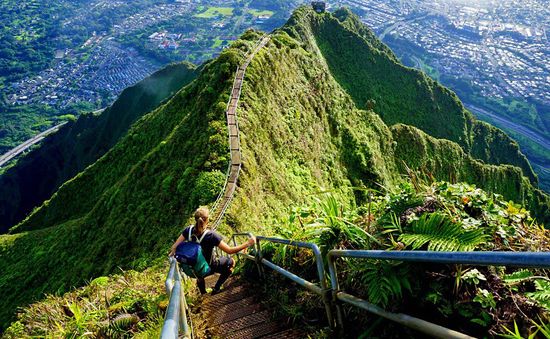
pixel 63 155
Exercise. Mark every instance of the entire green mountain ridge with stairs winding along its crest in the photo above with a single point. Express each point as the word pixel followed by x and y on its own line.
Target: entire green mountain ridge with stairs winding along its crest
pixel 304 128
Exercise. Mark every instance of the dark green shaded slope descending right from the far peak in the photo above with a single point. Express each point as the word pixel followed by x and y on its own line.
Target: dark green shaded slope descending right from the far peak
pixel 402 94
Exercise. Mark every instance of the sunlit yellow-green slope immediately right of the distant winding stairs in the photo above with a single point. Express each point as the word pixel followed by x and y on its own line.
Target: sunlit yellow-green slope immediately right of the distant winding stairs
pixel 297 127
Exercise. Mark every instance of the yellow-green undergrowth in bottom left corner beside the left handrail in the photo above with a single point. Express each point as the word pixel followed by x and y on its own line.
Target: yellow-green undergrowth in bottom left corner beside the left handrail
pixel 125 305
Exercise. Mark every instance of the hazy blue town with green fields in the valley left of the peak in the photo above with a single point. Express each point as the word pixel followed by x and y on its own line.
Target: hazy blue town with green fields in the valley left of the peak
pixel 113 59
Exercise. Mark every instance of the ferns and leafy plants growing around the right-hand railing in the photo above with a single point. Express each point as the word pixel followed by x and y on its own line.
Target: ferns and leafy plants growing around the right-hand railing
pixel 436 217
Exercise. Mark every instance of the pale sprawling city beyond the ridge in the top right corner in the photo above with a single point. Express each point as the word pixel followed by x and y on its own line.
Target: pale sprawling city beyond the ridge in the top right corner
pixel 501 46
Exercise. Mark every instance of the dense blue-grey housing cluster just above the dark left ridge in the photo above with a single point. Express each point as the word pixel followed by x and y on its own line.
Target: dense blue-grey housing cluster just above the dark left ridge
pixel 107 71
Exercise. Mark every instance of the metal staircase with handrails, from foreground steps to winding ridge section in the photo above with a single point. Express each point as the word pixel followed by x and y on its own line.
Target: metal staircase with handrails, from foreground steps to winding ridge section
pixel 236 311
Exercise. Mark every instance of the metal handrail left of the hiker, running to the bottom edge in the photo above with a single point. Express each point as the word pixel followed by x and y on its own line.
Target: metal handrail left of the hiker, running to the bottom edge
pixel 176 313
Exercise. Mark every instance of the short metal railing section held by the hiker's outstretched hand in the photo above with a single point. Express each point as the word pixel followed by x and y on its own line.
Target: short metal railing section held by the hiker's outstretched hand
pixel 321 290
